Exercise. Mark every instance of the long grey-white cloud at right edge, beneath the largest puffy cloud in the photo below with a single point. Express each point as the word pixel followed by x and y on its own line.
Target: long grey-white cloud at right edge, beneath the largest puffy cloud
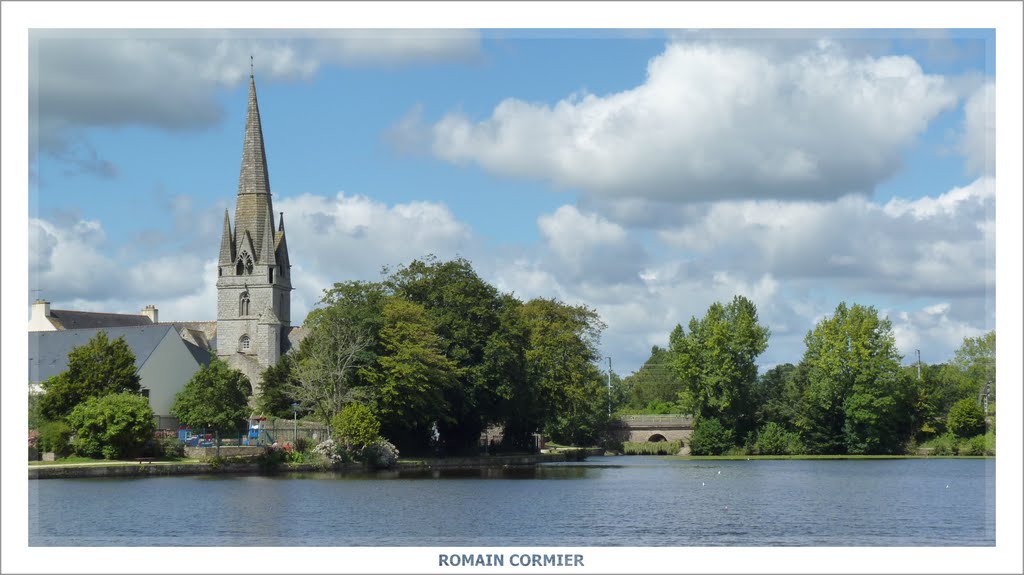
pixel 927 247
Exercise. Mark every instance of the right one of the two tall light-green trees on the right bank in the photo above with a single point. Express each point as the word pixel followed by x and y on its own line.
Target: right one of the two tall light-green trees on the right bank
pixel 858 400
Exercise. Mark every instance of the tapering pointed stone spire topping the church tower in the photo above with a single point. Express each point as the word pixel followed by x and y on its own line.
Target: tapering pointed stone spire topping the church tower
pixel 253 208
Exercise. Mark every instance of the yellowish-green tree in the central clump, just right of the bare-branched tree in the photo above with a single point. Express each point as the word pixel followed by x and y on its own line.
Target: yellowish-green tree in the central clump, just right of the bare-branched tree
pixel 415 376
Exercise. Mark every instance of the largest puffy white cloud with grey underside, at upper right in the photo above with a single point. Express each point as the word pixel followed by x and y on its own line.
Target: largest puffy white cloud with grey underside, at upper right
pixel 714 121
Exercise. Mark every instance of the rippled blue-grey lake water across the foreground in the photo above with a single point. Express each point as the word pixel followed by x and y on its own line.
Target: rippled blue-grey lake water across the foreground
pixel 603 502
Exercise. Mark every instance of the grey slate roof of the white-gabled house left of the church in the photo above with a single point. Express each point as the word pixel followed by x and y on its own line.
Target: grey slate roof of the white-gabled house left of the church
pixel 49 350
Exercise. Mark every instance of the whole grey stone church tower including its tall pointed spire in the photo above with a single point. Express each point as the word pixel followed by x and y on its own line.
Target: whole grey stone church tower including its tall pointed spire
pixel 254 280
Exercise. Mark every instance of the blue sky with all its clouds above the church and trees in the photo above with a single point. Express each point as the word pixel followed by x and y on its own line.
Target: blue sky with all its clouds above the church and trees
pixel 647 174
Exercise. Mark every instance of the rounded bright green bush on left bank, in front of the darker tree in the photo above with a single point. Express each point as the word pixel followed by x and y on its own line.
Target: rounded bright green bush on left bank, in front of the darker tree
pixel 112 427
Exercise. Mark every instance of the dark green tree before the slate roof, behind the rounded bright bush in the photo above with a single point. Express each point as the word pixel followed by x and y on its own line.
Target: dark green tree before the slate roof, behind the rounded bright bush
pixel 97 369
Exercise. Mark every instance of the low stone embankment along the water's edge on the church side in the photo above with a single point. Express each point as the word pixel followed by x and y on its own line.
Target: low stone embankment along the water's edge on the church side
pixel 163 469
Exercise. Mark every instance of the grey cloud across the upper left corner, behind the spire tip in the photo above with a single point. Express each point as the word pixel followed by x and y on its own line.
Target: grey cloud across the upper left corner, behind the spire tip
pixel 169 79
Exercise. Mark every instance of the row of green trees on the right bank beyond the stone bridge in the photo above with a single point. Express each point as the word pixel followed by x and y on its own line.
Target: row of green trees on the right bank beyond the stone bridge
pixel 849 394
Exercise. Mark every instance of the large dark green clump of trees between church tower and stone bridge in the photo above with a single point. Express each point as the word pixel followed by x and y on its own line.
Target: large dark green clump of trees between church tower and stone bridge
pixel 439 356
